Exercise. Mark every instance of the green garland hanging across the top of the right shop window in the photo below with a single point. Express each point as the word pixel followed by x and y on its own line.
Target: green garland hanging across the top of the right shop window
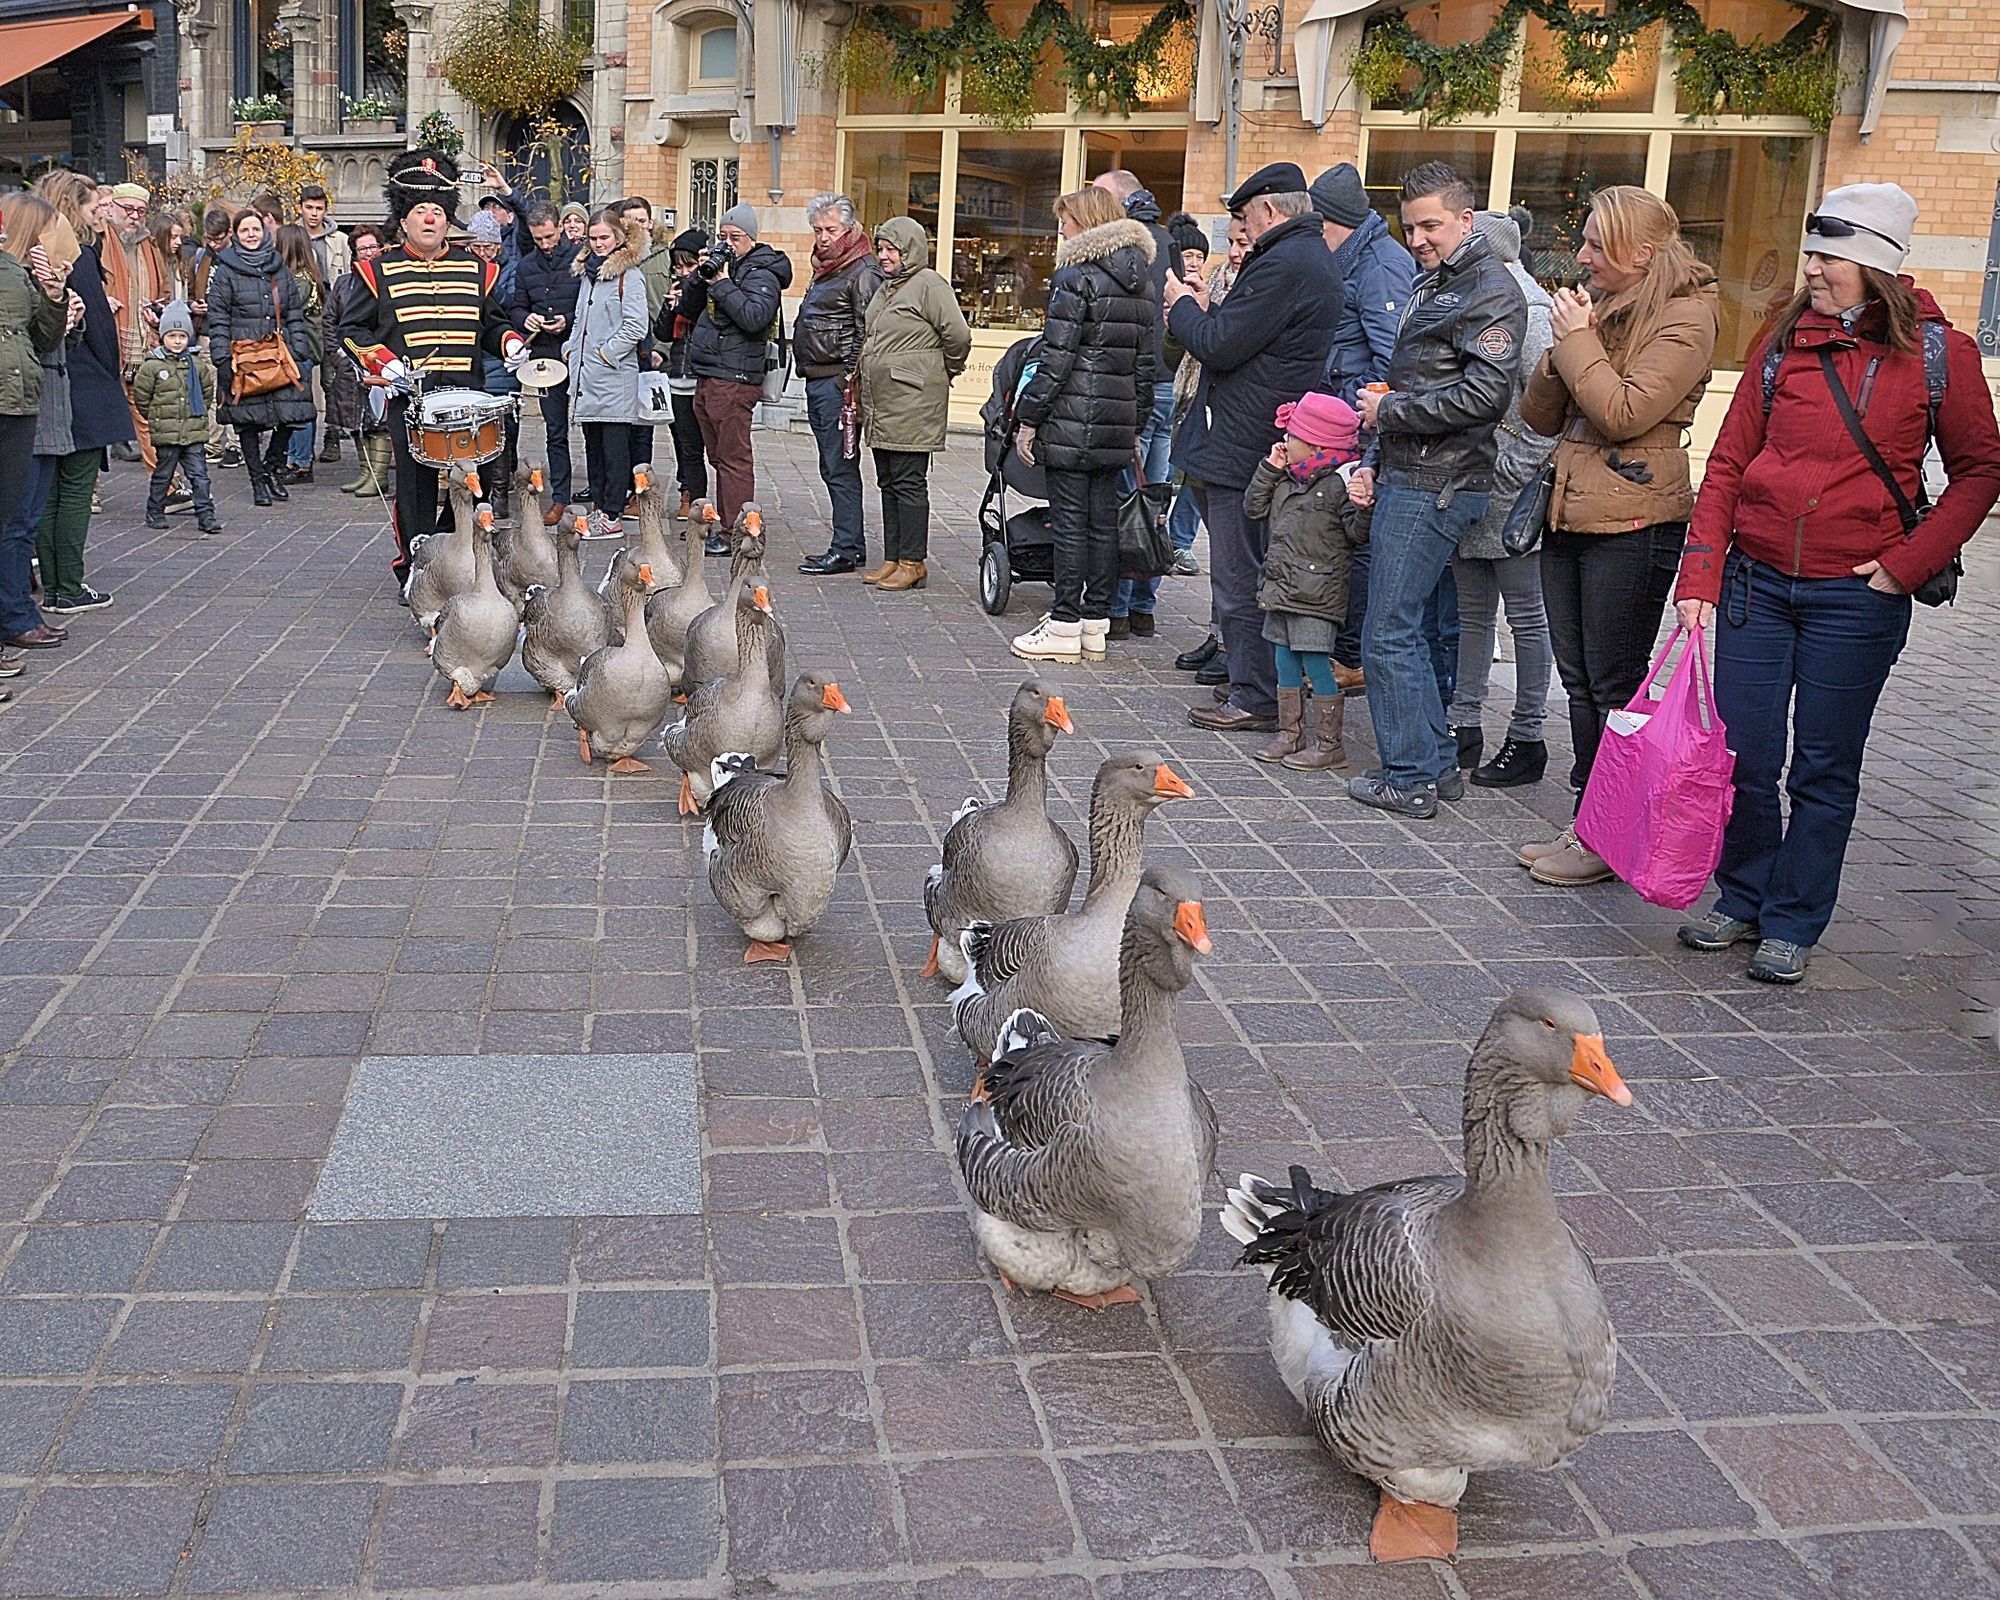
pixel 1719 73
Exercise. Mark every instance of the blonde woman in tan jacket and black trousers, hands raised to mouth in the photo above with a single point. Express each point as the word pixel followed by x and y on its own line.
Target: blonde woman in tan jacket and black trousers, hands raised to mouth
pixel 1619 391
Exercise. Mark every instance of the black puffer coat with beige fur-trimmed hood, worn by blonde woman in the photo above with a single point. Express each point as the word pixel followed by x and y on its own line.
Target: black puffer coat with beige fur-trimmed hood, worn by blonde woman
pixel 1099 351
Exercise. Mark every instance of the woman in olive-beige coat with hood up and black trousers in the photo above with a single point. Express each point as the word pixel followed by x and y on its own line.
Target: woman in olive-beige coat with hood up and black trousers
pixel 915 343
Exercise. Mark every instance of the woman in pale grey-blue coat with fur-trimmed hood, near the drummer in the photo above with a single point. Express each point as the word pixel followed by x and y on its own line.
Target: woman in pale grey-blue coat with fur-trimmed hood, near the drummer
pixel 603 357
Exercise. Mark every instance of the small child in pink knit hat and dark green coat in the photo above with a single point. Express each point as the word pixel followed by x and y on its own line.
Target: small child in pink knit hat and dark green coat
pixel 1303 491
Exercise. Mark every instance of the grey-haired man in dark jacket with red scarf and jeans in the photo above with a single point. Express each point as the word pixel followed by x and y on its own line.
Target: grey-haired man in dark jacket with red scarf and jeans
pixel 825 343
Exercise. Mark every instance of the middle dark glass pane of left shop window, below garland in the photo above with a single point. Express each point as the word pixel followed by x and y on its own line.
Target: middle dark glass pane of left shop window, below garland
pixel 1005 227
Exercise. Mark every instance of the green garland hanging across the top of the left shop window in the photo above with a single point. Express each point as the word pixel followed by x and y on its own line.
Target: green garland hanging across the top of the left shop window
pixel 887 51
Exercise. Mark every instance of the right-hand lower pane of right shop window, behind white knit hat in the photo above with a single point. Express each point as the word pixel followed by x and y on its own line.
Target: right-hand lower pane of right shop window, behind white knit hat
pixel 1743 205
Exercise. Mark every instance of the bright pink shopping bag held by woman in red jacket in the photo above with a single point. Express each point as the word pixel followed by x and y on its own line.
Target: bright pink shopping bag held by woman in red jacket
pixel 1659 795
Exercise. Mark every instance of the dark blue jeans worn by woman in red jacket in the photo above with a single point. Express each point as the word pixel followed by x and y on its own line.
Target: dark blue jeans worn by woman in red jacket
pixel 1811 653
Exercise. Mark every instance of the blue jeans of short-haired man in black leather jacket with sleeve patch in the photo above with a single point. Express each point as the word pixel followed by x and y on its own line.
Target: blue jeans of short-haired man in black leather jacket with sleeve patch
pixel 1415 541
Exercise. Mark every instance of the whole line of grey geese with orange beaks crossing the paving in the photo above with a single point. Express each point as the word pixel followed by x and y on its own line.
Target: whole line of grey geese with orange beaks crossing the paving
pixel 1431 1327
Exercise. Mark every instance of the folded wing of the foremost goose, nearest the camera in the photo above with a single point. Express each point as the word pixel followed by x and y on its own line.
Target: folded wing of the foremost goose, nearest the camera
pixel 1359 1261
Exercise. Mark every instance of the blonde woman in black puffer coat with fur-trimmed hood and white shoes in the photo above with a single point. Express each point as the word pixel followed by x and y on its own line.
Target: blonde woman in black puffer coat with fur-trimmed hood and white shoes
pixel 1083 411
